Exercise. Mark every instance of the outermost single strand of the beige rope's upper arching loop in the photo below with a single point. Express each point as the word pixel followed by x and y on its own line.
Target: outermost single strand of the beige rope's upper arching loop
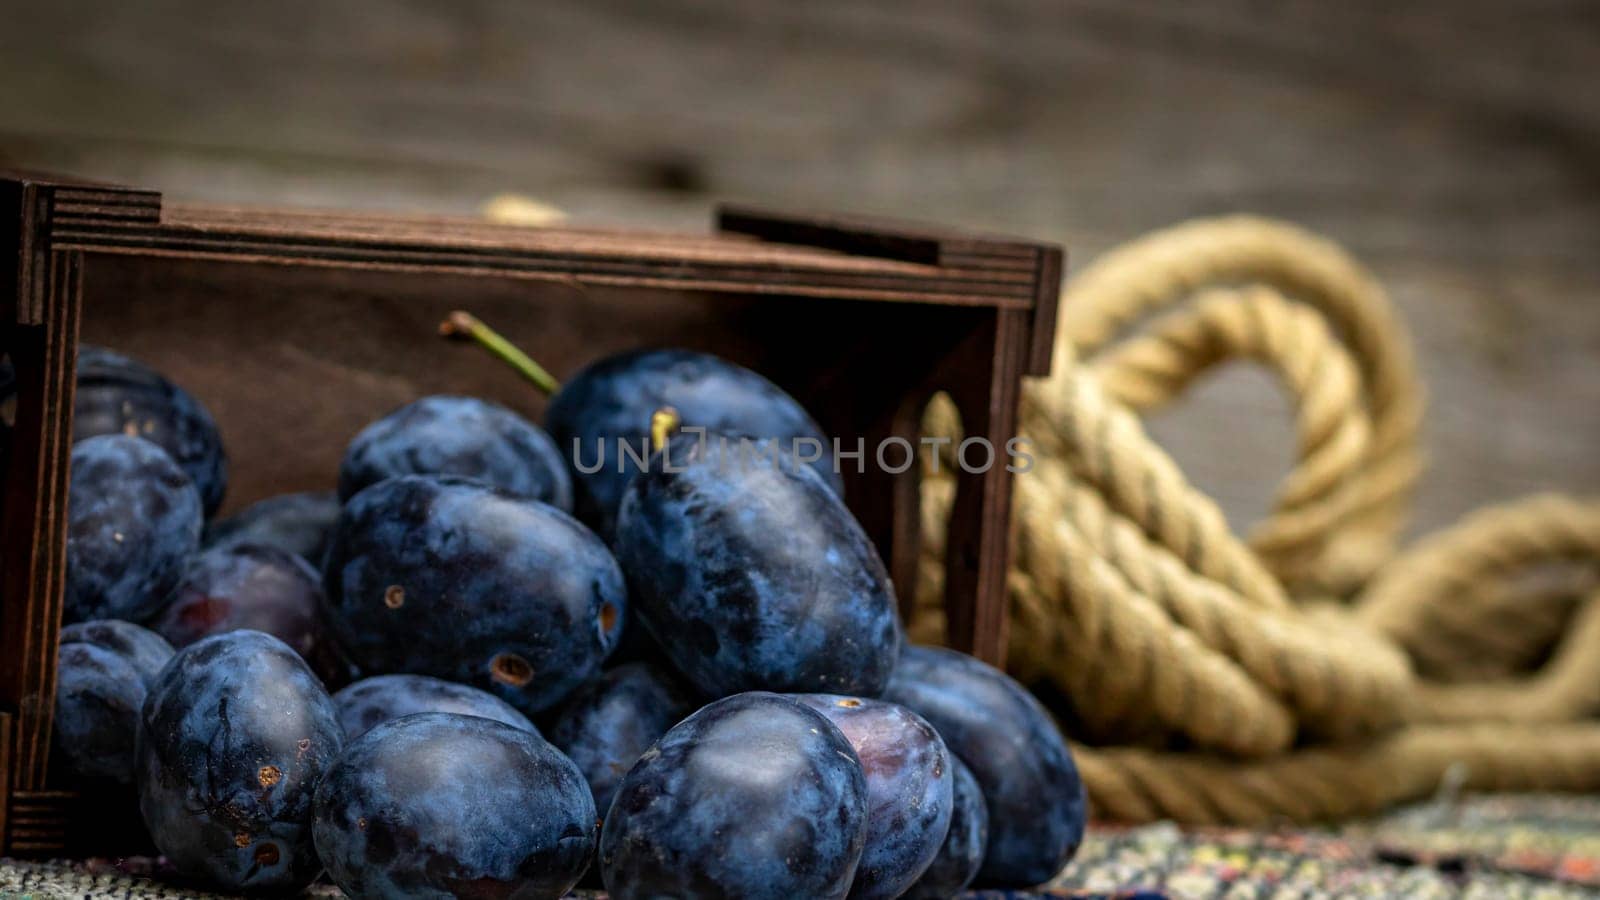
pixel 1167 268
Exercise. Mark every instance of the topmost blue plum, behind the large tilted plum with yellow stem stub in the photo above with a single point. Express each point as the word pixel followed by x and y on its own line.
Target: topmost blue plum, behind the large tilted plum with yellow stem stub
pixel 612 401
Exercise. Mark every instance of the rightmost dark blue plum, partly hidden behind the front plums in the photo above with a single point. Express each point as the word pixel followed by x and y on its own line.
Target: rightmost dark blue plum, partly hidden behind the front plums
pixel 1023 765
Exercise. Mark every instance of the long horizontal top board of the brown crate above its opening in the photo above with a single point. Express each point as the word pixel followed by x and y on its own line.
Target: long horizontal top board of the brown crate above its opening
pixel 439 244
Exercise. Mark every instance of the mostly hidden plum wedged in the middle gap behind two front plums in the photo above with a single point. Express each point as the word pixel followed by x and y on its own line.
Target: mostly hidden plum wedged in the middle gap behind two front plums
pixel 610 723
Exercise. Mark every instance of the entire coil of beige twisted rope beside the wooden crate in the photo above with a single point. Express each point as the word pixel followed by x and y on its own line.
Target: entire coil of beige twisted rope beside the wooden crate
pixel 1308 673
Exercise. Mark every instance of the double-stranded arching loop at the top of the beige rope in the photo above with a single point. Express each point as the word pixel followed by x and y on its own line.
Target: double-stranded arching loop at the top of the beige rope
pixel 1178 271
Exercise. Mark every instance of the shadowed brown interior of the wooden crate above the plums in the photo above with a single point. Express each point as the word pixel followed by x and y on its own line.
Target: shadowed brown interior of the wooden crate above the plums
pixel 294 363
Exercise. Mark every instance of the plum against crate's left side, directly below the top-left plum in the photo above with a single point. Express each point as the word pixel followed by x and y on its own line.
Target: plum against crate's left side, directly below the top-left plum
pixel 134 518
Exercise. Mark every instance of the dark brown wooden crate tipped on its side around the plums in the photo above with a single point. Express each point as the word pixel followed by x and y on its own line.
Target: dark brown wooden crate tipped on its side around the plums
pixel 298 327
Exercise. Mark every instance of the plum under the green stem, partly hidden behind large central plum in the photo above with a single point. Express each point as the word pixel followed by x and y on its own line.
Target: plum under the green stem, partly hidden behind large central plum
pixel 458 436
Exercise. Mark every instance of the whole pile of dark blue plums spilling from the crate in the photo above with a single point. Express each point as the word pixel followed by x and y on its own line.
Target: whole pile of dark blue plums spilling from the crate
pixel 697 686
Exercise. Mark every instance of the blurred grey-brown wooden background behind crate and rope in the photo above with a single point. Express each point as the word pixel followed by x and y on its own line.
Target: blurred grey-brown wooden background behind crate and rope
pixel 1452 145
